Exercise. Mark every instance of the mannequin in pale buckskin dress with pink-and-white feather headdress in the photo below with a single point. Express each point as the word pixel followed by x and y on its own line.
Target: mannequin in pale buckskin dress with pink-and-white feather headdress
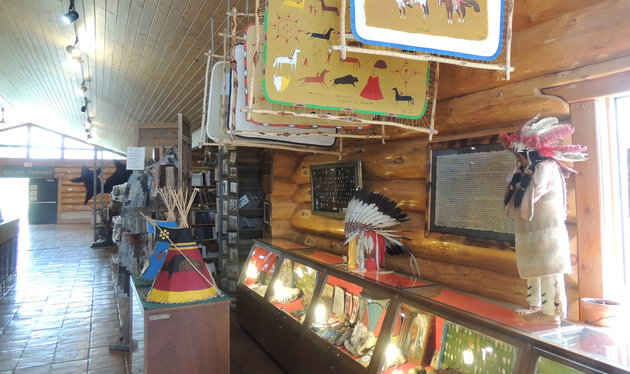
pixel 537 193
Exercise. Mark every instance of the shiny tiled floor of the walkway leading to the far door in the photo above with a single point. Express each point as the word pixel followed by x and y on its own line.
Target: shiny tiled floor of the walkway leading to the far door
pixel 61 315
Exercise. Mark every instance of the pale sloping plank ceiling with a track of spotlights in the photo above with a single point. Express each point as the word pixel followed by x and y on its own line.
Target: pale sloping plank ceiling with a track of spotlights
pixel 143 62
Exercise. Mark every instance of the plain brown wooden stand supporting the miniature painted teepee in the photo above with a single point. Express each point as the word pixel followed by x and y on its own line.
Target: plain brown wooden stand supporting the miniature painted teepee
pixel 184 338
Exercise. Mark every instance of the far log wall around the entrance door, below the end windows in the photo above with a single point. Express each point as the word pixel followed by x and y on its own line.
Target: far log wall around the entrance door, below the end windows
pixel 71 195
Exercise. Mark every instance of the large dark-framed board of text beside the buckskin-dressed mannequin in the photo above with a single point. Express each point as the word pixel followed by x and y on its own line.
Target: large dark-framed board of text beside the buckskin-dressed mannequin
pixel 467 185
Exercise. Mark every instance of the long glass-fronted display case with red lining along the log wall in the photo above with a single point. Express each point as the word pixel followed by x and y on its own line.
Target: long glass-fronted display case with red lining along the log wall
pixel 314 316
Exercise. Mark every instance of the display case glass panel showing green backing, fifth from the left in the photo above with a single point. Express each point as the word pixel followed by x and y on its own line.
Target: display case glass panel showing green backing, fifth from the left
pixel 474 352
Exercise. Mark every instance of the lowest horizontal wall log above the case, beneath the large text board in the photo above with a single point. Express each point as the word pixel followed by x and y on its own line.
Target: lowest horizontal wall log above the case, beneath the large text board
pixel 481 282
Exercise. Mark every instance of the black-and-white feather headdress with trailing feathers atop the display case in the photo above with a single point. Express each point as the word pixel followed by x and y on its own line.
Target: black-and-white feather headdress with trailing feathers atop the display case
pixel 375 213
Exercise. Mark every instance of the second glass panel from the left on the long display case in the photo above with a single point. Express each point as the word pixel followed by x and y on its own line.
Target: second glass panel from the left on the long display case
pixel 293 288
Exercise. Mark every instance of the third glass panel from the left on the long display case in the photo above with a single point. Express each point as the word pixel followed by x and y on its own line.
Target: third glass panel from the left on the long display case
pixel 349 318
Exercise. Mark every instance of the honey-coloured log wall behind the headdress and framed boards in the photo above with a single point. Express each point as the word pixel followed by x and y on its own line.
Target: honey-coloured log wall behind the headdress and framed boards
pixel 554 43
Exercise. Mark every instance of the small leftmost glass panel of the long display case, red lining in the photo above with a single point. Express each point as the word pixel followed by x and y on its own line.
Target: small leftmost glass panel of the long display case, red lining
pixel 259 269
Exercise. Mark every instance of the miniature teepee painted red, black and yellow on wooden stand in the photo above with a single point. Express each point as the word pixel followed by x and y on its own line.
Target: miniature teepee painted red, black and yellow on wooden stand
pixel 183 276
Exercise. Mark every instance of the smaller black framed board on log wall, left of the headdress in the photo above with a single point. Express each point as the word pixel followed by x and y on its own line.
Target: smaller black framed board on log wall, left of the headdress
pixel 333 186
